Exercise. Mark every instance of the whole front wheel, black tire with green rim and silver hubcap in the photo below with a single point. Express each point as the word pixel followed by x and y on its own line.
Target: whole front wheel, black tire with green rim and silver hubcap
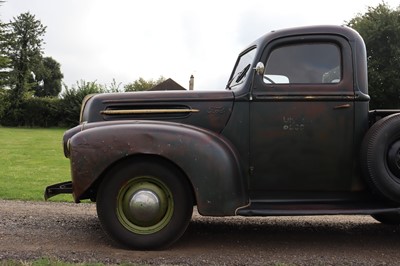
pixel 145 204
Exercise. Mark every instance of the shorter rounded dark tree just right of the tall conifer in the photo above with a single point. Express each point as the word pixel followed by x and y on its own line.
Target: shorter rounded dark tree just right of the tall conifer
pixel 47 78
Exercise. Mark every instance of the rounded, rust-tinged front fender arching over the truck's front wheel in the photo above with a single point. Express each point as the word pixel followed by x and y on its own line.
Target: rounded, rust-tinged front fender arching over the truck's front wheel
pixel 209 161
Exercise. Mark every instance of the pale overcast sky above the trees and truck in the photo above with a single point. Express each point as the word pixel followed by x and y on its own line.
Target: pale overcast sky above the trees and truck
pixel 96 40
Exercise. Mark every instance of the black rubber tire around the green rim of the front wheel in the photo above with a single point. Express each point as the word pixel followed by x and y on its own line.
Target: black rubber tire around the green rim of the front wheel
pixel 107 202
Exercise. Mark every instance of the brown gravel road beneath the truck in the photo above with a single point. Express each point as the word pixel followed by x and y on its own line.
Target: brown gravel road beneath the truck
pixel 72 232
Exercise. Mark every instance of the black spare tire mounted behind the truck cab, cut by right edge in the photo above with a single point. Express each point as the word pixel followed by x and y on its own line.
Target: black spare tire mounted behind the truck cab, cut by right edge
pixel 380 157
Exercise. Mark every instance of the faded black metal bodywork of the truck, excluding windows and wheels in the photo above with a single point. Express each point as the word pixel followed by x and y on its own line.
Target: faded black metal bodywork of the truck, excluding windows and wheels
pixel 287 148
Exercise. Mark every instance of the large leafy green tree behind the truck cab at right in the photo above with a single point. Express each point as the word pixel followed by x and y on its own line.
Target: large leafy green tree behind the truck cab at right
pixel 380 28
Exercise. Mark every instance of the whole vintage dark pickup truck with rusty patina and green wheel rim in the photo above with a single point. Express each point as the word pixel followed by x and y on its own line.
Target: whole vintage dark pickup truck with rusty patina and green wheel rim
pixel 292 134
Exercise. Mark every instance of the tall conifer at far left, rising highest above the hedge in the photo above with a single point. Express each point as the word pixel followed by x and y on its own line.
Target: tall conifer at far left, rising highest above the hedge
pixel 25 52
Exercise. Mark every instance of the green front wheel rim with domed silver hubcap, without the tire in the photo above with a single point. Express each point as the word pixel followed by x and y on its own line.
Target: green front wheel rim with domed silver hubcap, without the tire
pixel 145 205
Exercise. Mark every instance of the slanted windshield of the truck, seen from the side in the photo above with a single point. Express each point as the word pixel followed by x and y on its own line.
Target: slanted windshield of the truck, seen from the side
pixel 242 68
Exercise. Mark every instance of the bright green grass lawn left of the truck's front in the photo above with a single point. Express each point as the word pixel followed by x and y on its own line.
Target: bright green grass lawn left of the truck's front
pixel 30 160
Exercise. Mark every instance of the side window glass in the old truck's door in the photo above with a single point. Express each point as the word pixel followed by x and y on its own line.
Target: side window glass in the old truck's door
pixel 304 63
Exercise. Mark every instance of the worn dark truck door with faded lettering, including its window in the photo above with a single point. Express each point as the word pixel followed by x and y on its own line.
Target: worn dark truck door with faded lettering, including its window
pixel 302 117
